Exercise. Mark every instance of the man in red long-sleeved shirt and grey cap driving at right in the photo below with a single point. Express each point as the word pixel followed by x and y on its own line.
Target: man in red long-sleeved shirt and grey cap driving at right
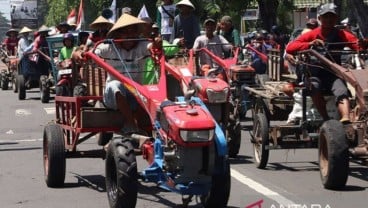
pixel 323 79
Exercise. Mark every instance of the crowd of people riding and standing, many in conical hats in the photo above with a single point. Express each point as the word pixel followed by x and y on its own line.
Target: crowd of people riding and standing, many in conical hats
pixel 178 26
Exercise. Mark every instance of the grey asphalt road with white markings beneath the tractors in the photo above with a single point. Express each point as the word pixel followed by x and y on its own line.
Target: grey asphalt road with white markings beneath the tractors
pixel 290 180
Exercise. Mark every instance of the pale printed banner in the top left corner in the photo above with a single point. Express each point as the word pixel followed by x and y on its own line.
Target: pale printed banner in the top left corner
pixel 23 13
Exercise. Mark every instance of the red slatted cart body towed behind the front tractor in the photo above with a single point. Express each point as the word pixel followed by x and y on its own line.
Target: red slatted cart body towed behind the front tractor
pixel 75 118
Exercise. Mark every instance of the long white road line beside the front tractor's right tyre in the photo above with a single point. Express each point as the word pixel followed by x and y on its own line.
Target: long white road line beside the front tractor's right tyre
pixel 261 189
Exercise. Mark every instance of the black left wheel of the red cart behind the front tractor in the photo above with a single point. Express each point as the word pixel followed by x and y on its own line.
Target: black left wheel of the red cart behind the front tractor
pixel 54 161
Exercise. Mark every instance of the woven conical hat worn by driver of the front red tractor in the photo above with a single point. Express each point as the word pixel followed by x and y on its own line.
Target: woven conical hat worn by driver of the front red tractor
pixel 124 21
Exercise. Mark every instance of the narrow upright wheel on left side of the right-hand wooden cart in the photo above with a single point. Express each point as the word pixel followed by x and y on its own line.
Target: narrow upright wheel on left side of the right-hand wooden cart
pixel 261 140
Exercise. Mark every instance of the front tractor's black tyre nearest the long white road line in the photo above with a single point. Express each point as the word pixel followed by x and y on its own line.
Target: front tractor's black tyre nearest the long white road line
pixel 219 194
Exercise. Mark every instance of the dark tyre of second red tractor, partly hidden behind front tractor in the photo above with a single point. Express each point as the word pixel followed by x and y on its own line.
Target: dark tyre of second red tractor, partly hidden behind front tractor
pixel 234 139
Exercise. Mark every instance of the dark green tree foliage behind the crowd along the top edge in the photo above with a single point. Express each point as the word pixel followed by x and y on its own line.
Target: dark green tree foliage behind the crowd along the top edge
pixel 272 12
